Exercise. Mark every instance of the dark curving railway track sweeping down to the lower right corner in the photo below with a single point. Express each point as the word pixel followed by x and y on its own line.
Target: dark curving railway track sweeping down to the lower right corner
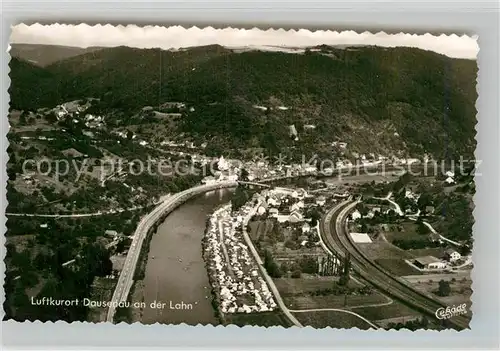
pixel 334 233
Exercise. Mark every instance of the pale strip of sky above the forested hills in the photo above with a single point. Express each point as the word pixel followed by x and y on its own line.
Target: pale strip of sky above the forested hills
pixel 179 37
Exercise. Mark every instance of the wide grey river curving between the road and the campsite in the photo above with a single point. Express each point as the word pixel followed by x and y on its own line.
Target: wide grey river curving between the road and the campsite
pixel 175 271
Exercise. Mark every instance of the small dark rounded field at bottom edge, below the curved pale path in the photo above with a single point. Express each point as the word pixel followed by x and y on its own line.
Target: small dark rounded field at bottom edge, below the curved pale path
pixel 334 319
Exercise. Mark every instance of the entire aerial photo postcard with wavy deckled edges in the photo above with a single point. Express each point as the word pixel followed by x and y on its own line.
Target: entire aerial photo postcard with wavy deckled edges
pixel 249 177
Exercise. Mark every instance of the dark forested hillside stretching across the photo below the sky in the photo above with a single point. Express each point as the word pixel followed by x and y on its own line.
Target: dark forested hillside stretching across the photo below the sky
pixel 381 98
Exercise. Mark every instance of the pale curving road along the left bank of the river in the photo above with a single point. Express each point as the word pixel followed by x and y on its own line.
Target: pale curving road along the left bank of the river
pixel 125 279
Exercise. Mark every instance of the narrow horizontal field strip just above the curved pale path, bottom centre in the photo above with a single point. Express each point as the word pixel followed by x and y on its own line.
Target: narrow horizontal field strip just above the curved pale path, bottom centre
pixel 332 301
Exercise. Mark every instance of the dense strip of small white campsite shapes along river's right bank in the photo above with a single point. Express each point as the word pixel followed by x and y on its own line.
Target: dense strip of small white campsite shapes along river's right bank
pixel 234 273
